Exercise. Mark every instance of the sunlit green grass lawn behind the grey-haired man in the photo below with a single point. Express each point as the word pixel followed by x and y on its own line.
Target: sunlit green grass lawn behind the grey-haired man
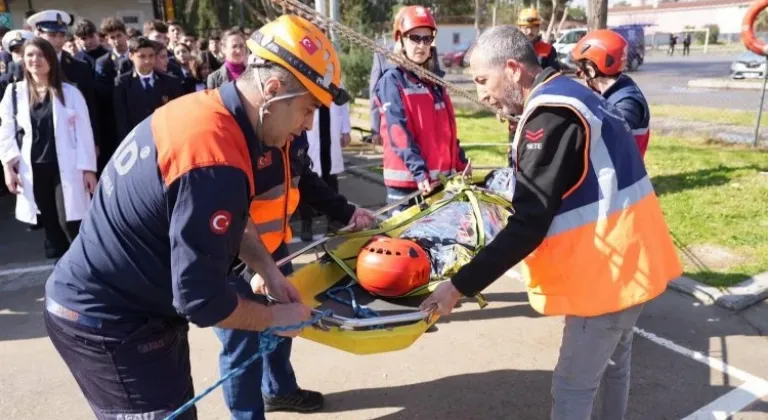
pixel 712 195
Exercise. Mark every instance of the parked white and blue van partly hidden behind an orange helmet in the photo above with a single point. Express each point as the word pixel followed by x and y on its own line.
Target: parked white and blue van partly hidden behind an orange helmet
pixel 634 34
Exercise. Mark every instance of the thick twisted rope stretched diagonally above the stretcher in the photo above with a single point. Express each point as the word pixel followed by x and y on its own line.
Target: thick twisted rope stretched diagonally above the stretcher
pixel 355 38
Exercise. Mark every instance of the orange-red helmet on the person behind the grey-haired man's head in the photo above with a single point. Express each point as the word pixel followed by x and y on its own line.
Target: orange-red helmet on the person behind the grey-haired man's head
pixel 606 49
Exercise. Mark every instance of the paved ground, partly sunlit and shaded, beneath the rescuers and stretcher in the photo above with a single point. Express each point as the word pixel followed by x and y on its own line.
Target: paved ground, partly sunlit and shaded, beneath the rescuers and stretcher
pixel 494 363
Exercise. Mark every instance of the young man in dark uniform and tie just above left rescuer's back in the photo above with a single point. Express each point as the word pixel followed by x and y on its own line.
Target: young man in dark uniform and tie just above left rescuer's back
pixel 139 93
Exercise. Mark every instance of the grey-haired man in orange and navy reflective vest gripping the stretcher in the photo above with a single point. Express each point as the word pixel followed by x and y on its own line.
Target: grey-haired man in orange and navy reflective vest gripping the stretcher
pixel 588 229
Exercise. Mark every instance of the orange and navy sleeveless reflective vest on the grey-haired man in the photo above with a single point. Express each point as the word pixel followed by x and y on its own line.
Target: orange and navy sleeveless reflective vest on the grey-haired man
pixel 608 247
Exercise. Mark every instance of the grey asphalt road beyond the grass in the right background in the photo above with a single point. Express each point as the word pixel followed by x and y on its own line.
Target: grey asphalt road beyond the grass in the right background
pixel 664 80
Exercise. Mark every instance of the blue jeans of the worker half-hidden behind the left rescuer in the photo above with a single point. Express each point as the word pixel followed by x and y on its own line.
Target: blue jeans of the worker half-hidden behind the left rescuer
pixel 273 377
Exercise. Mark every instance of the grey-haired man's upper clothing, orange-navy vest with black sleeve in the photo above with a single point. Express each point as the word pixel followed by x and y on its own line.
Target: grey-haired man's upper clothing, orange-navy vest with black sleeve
pixel 587 227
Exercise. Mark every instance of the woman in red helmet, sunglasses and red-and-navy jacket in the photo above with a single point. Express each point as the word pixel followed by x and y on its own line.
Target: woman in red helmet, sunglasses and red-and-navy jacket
pixel 418 124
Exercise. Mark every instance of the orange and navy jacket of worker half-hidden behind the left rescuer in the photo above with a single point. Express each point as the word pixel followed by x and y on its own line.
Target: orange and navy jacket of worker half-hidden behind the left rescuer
pixel 283 175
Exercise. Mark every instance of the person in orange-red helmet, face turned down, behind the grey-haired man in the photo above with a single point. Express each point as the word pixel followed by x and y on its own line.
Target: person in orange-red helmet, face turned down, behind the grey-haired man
pixel 601 57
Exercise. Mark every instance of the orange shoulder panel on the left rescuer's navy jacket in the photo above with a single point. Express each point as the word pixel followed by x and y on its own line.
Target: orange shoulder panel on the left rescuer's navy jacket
pixel 196 131
